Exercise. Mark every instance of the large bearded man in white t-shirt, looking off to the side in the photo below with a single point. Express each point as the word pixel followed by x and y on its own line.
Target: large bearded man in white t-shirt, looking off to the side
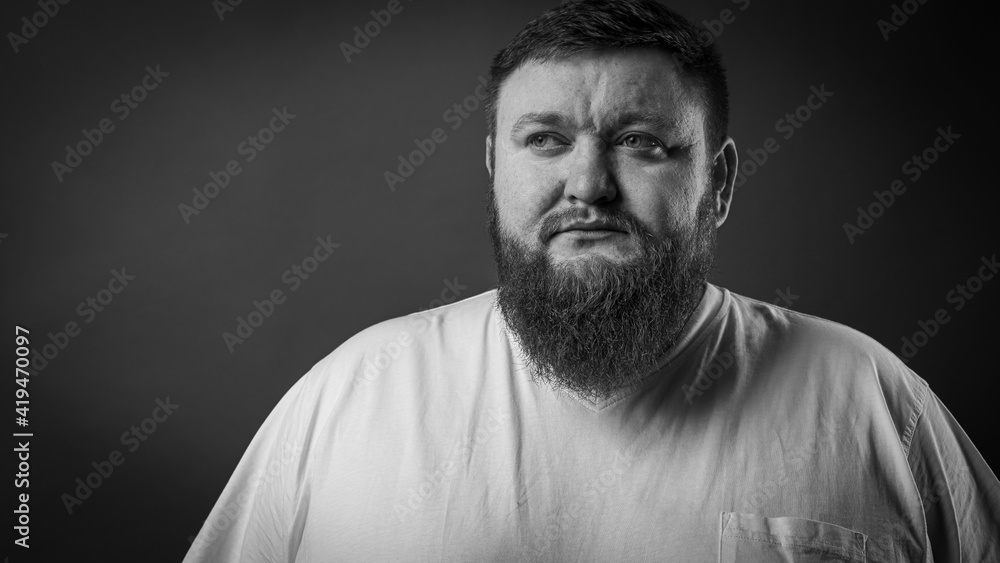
pixel 605 402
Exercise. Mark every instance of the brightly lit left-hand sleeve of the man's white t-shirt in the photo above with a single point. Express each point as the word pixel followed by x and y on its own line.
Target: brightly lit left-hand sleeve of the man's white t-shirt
pixel 254 518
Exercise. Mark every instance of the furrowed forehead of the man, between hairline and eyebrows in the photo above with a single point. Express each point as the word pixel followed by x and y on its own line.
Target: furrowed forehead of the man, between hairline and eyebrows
pixel 601 87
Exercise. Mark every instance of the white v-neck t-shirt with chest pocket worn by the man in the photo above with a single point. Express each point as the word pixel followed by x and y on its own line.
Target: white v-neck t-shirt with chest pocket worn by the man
pixel 764 433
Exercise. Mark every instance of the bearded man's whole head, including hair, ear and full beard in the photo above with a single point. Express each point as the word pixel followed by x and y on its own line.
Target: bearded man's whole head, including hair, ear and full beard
pixel 610 172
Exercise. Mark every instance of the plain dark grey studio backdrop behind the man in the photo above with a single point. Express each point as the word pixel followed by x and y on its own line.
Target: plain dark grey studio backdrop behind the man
pixel 323 175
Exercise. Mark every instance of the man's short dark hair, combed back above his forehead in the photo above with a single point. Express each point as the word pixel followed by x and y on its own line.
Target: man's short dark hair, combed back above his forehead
pixel 574 27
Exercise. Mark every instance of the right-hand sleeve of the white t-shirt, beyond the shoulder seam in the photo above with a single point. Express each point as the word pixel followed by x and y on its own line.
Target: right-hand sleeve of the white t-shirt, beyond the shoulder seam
pixel 959 492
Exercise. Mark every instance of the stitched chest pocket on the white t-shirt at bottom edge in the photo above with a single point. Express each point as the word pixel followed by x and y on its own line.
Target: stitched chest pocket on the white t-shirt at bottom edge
pixel 751 538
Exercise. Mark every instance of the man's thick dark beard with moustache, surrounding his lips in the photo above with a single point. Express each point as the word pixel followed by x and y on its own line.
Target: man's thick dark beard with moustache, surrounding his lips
pixel 595 327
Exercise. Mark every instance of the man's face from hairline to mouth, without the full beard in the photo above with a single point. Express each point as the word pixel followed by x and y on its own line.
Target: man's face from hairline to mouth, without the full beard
pixel 602 130
